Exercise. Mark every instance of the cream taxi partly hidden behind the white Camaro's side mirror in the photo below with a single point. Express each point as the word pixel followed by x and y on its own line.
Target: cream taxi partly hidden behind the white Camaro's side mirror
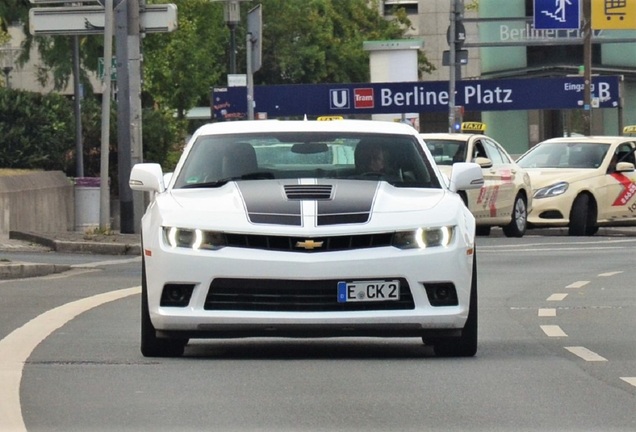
pixel 505 198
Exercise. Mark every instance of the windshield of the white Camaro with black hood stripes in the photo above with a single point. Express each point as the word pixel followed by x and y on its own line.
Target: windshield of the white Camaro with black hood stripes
pixel 216 159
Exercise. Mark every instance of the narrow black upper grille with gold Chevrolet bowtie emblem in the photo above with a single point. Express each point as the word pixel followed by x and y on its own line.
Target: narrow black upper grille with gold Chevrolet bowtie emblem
pixel 303 244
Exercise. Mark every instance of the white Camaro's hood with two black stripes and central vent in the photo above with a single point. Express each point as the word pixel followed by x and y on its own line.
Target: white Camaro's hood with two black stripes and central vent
pixel 305 205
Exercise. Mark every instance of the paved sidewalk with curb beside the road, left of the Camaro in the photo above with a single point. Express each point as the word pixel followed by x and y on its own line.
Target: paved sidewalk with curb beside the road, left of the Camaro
pixel 65 242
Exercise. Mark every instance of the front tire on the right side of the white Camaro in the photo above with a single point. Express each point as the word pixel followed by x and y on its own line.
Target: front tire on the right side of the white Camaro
pixel 466 344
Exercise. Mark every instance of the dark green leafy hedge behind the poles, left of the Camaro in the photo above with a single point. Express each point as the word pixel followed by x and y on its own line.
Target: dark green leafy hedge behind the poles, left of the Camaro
pixel 37 131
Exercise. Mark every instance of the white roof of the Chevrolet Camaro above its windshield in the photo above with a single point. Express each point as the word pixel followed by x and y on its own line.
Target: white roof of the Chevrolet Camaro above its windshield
pixel 247 126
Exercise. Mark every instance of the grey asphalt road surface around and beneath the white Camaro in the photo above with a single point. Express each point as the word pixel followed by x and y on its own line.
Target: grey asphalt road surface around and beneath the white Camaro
pixel 557 353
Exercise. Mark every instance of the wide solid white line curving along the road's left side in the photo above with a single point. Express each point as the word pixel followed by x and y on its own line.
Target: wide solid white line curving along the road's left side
pixel 18 345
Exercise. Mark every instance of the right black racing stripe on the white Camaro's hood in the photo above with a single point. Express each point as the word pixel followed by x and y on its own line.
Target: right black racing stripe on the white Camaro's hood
pixel 351 203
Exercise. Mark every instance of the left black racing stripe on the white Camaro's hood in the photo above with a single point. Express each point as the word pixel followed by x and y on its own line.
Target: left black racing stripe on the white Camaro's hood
pixel 266 203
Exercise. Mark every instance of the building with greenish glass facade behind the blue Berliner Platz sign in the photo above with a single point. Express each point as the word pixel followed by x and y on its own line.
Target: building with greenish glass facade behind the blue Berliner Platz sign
pixel 502 42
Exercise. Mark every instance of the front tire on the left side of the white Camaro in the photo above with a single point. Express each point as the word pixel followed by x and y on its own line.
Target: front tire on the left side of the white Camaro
pixel 151 345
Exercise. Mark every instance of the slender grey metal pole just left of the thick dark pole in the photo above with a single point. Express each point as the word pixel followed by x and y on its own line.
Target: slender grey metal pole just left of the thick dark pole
pixel 104 192
